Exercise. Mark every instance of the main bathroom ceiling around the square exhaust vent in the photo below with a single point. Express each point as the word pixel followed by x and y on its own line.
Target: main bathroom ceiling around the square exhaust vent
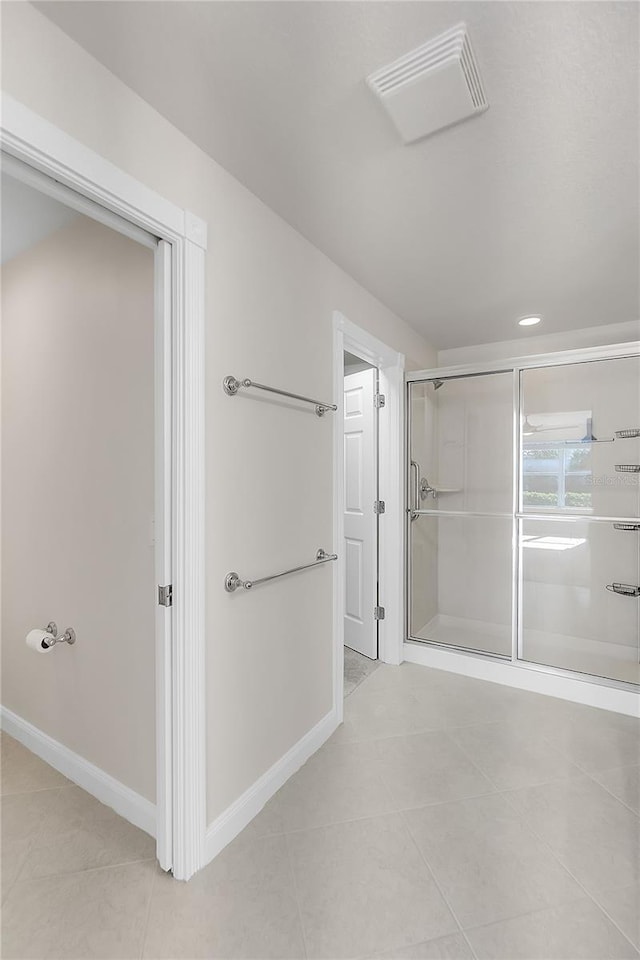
pixel 531 207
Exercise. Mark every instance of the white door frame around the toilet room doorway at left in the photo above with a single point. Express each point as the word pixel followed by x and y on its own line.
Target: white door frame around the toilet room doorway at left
pixel 179 469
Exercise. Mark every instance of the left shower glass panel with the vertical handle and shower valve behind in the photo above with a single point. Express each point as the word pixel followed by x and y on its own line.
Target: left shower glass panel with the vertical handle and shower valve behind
pixel 460 511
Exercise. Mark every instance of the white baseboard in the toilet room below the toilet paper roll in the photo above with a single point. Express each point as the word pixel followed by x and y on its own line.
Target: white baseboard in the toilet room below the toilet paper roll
pixel 125 801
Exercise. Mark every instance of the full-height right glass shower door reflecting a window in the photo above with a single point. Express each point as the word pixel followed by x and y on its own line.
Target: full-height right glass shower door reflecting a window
pixel 579 518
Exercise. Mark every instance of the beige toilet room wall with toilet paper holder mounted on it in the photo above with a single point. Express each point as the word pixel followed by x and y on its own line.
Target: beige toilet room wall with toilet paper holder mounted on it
pixel 77 494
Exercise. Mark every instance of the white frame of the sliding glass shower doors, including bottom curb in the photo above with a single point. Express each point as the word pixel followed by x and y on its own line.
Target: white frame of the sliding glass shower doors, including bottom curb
pixel 617 695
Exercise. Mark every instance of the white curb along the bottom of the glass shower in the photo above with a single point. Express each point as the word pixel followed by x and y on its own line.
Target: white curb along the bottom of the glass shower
pixel 525 678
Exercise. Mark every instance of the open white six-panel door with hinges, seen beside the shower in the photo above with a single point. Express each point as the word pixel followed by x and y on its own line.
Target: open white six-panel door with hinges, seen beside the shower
pixel 360 522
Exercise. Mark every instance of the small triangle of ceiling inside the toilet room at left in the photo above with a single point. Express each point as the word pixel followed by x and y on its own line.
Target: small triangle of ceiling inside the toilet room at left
pixel 28 216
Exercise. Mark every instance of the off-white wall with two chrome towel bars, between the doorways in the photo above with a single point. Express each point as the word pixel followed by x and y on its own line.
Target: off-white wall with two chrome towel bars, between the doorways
pixel 270 297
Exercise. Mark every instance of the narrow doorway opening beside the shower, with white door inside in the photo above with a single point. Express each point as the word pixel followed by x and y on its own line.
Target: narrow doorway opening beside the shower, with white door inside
pixel 362 509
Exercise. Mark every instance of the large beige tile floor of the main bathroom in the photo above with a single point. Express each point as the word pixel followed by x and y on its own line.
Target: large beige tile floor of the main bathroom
pixel 447 818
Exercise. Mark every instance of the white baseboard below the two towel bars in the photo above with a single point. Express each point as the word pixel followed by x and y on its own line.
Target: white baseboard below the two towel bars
pixel 236 817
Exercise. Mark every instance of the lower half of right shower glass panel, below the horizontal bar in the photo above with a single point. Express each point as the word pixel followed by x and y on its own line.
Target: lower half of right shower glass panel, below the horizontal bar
pixel 569 617
